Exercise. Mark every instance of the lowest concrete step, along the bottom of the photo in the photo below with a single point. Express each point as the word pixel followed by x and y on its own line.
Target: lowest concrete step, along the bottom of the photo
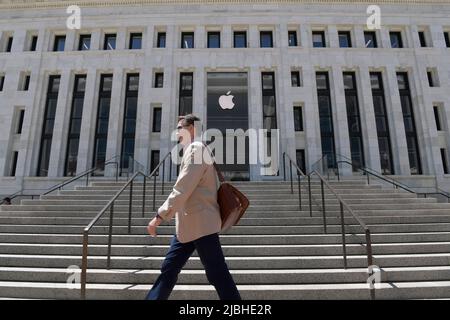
pixel 394 290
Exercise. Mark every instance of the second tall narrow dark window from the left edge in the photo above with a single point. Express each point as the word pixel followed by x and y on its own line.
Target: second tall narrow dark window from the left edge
pixel 76 114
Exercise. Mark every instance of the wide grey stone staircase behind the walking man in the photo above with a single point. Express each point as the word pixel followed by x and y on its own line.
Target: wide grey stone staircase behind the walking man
pixel 276 252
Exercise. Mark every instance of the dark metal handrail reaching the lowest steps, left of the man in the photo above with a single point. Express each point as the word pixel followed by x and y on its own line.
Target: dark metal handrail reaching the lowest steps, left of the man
pixel 110 206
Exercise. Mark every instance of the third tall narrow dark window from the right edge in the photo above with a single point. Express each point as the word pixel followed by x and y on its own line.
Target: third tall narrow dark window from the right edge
pixel 353 120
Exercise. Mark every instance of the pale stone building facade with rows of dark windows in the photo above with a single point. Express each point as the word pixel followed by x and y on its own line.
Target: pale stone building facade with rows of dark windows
pixel 71 98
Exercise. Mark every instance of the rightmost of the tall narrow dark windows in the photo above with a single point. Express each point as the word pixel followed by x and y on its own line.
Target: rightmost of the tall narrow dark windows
pixel 409 123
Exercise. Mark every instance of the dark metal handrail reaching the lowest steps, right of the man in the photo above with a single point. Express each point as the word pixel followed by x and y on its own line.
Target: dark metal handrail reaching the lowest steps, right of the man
pixel 343 205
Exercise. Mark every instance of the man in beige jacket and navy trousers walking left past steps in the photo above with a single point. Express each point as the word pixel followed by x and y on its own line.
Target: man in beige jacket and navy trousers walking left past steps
pixel 193 202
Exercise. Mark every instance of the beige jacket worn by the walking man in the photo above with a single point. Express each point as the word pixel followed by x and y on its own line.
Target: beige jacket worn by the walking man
pixel 193 200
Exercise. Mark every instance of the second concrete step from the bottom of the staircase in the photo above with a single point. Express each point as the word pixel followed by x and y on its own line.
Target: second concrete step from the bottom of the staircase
pixel 279 276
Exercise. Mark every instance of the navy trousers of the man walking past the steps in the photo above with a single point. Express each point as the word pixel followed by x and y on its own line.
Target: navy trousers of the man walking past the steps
pixel 211 256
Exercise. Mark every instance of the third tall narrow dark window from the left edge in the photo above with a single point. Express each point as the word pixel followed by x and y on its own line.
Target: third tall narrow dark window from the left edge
pixel 101 130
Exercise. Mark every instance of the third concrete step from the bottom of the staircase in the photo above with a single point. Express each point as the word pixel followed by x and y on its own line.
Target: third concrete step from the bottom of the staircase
pixel 236 262
